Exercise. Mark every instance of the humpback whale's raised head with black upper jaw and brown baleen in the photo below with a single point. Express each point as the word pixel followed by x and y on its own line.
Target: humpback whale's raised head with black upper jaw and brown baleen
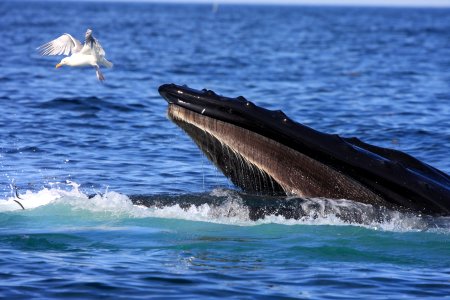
pixel 264 152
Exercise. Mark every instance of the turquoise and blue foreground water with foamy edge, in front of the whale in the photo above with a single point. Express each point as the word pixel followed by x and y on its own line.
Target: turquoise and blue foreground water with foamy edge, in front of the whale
pixel 106 247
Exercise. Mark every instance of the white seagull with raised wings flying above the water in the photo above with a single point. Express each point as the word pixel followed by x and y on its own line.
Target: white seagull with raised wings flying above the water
pixel 89 54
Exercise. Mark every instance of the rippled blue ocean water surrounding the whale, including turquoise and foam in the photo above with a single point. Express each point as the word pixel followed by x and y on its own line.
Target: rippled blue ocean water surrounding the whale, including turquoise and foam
pixel 80 151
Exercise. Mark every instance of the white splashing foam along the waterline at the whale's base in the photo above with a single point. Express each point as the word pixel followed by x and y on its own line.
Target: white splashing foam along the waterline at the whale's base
pixel 232 211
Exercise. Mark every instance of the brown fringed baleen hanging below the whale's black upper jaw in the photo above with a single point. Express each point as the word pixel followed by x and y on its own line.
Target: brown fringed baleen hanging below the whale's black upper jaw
pixel 260 165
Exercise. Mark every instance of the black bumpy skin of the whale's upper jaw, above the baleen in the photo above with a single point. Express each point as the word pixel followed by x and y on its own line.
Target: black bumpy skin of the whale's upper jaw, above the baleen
pixel 394 176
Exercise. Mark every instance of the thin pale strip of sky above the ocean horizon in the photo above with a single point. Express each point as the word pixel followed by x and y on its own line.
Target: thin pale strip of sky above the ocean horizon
pixel 424 3
